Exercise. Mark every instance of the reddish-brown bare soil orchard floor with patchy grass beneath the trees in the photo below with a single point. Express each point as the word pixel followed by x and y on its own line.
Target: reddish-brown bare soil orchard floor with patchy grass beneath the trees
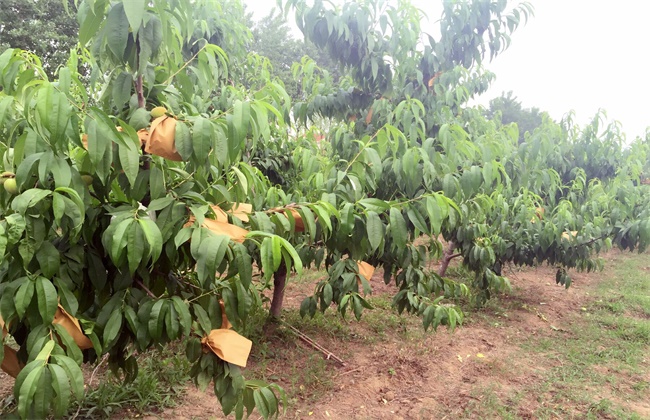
pixel 539 352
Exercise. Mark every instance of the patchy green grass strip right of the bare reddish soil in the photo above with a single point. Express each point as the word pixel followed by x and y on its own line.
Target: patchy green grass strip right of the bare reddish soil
pixel 593 368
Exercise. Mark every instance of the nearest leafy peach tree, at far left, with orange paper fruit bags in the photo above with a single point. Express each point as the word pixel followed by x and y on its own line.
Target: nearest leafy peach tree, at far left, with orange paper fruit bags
pixel 112 186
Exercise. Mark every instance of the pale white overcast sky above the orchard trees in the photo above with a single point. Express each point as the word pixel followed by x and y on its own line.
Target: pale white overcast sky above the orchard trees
pixel 578 55
